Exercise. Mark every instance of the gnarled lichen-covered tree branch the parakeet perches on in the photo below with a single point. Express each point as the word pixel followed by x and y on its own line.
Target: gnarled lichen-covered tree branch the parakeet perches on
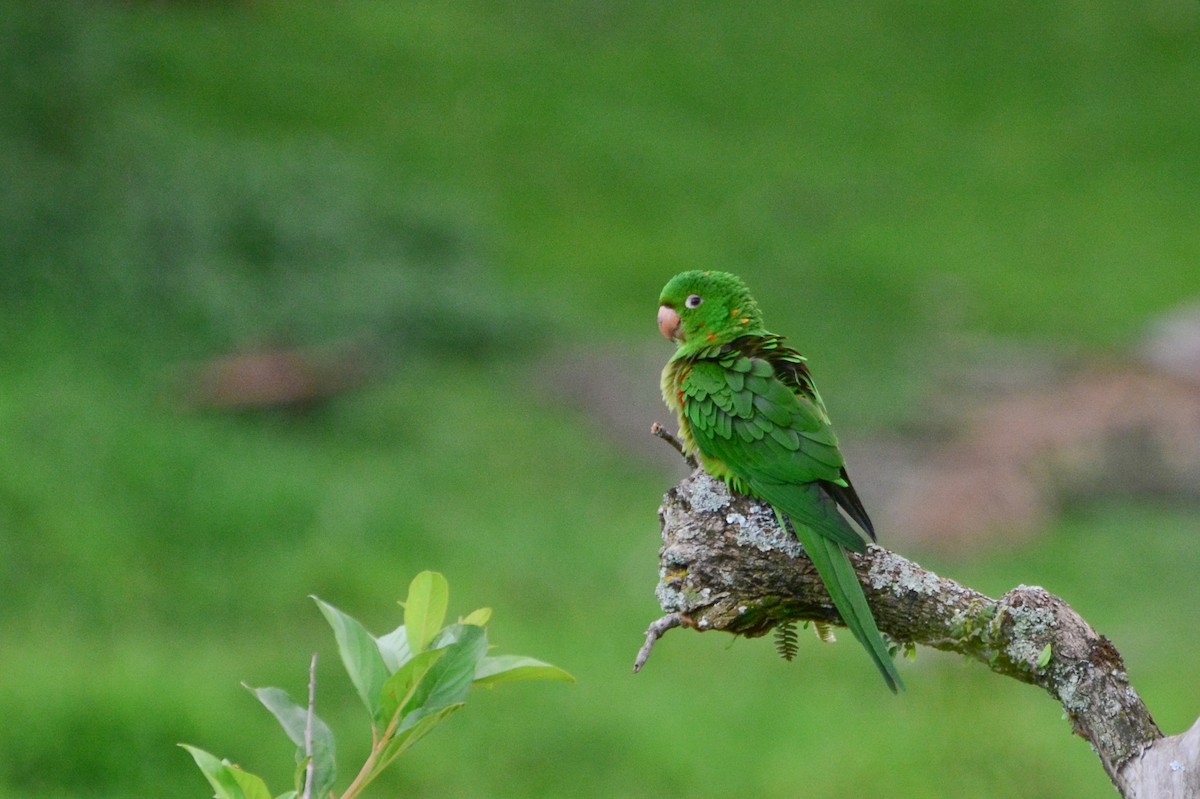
pixel 727 566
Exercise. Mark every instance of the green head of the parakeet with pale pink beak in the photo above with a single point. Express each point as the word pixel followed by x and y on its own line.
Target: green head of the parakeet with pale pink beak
pixel 704 309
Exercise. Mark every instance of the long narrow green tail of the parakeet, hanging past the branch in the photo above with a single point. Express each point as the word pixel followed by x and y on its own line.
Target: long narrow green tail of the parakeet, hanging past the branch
pixel 837 573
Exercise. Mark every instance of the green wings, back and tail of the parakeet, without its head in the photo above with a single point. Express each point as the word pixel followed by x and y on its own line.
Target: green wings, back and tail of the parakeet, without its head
pixel 759 423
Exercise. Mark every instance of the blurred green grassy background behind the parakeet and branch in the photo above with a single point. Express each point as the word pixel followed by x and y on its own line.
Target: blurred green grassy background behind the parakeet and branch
pixel 458 197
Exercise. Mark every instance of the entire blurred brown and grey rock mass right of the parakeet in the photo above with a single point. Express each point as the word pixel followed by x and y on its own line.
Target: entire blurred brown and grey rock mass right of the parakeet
pixel 1022 441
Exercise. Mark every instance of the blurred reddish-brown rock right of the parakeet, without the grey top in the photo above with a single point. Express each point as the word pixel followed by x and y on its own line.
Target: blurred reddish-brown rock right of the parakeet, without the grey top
pixel 1115 431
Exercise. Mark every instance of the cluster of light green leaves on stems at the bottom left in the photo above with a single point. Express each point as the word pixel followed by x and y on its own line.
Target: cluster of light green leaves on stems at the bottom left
pixel 410 681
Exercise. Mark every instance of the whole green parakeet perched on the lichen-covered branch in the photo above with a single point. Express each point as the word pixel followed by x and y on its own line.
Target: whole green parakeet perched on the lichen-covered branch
pixel 748 407
